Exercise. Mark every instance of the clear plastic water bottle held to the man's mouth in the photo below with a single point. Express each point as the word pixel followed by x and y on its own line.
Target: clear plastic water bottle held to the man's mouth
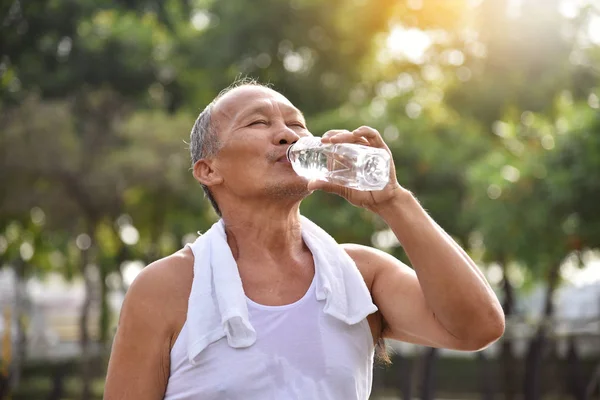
pixel 347 164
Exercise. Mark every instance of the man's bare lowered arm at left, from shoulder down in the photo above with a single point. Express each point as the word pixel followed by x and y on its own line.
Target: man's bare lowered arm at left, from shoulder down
pixel 140 356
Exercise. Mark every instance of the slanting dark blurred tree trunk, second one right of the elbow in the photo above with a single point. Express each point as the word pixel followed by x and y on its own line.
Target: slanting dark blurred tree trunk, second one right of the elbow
pixel 537 345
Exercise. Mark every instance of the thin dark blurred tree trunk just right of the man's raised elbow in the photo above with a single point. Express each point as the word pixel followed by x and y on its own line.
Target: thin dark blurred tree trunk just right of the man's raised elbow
pixel 508 357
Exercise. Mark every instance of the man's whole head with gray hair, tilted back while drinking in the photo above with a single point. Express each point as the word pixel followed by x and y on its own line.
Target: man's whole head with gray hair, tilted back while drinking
pixel 238 145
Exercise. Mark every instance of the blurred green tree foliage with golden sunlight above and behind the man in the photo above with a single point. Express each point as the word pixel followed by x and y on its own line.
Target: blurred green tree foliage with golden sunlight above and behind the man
pixel 493 124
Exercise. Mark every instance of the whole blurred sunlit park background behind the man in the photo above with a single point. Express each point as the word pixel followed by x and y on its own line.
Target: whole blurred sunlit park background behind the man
pixel 491 108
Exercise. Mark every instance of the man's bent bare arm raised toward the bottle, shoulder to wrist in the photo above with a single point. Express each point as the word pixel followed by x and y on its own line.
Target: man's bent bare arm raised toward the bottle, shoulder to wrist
pixel 446 301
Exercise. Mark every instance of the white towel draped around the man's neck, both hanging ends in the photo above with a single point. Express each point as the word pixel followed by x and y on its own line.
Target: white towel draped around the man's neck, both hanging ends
pixel 217 305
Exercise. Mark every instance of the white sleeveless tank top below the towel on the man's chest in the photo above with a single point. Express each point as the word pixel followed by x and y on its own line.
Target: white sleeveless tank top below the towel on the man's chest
pixel 300 353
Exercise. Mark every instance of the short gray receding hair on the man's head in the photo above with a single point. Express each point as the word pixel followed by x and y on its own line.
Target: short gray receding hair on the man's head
pixel 204 141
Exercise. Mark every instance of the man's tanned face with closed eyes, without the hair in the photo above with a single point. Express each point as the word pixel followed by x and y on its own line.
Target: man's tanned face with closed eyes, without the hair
pixel 255 126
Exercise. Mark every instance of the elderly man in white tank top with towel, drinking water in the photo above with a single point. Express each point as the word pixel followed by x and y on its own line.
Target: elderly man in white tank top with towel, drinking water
pixel 287 320
